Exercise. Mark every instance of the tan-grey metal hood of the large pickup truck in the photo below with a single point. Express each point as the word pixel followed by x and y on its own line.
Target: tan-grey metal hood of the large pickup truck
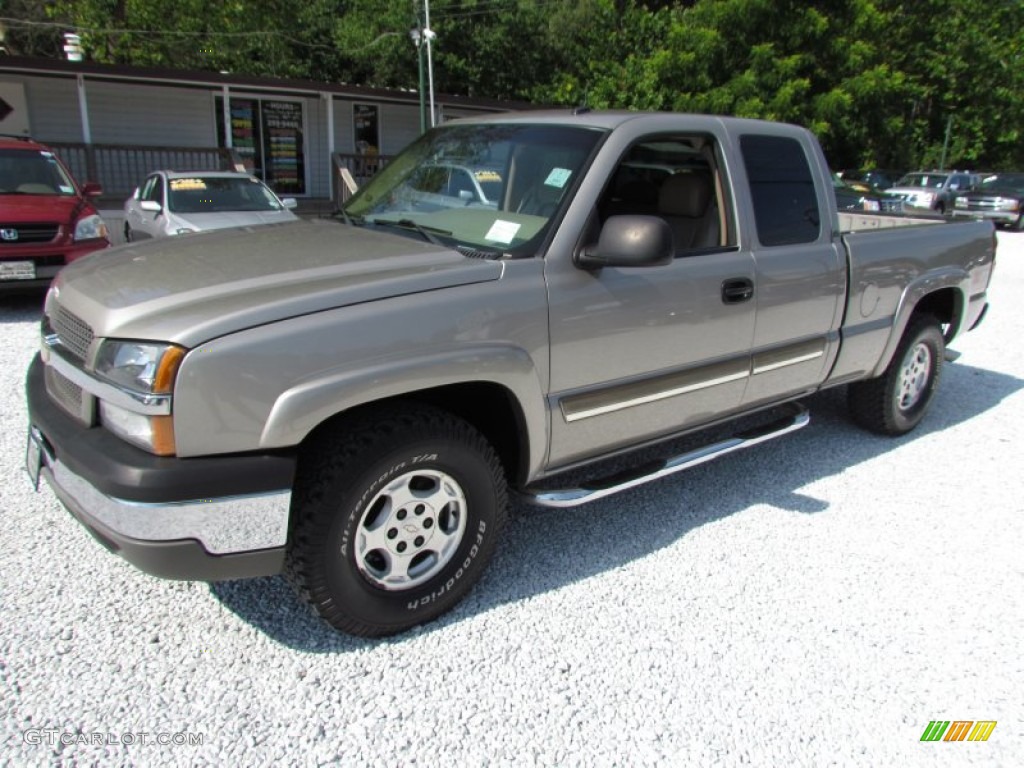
pixel 193 288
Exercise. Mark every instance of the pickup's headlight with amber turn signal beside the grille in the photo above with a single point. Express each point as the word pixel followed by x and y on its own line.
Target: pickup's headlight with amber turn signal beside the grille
pixel 145 372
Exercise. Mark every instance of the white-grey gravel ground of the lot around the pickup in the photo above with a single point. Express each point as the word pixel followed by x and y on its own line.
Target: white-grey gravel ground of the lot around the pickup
pixel 815 602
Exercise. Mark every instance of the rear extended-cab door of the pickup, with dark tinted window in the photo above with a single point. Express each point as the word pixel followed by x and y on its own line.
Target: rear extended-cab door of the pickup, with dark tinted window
pixel 800 275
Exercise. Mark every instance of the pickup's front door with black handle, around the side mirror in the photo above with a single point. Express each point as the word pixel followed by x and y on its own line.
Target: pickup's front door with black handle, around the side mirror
pixel 642 353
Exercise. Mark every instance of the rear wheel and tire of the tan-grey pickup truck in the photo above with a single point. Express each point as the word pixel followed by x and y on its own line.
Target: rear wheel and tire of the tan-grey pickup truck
pixel 897 402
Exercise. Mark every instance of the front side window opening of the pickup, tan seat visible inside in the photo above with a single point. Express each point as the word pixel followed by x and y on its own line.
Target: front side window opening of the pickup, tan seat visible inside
pixel 677 179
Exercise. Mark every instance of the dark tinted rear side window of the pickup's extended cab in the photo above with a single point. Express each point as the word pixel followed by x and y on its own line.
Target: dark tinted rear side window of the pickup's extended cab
pixel 786 205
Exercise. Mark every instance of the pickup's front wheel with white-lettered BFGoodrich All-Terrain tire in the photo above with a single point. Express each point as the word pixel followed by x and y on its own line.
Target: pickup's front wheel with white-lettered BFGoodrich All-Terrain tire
pixel 397 517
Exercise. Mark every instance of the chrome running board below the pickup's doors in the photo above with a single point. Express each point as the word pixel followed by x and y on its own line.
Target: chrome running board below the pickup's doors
pixel 602 488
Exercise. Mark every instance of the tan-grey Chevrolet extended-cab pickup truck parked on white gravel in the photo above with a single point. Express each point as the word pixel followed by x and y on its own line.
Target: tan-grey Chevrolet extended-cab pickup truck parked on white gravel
pixel 352 401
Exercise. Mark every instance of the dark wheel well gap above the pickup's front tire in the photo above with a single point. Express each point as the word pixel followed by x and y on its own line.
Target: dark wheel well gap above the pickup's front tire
pixel 490 408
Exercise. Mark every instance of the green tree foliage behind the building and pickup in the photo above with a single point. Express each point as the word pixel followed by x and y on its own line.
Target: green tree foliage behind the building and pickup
pixel 883 82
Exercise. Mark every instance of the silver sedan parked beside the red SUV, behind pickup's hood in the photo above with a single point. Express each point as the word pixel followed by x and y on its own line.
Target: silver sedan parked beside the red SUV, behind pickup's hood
pixel 179 202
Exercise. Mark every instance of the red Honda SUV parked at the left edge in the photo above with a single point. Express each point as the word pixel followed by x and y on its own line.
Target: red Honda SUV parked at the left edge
pixel 47 220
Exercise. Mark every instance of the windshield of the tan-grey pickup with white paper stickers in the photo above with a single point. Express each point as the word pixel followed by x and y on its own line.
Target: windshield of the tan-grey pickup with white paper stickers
pixel 491 187
